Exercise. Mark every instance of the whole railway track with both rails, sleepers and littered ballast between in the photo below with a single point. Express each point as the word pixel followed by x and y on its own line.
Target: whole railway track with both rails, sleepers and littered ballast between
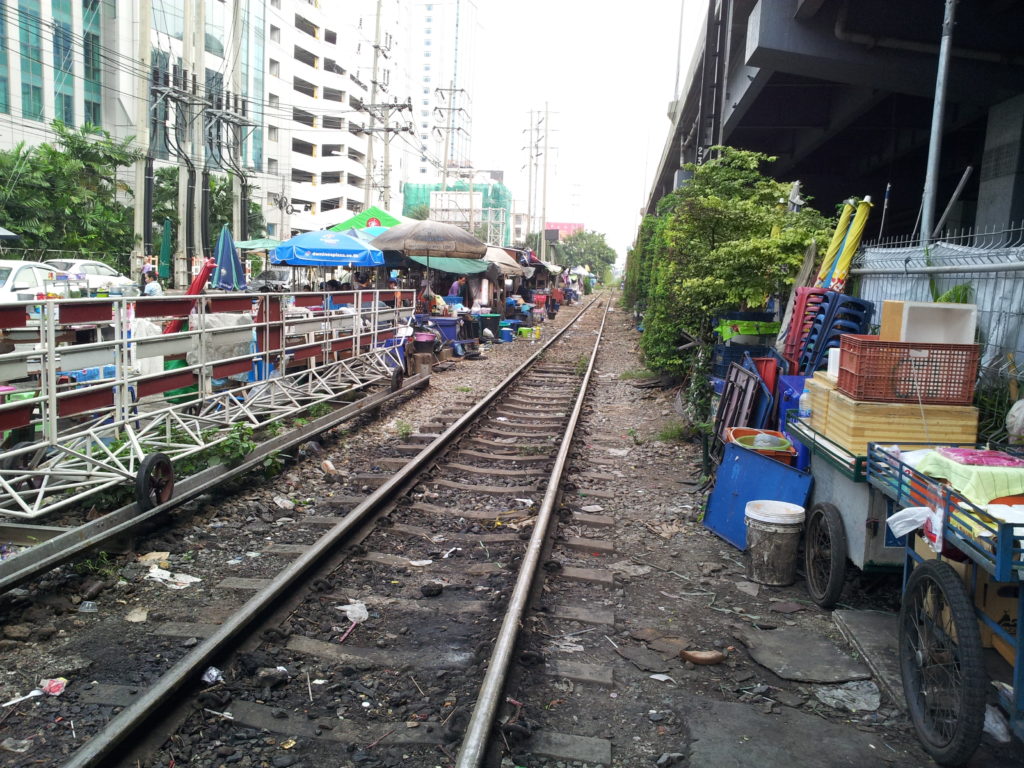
pixel 390 636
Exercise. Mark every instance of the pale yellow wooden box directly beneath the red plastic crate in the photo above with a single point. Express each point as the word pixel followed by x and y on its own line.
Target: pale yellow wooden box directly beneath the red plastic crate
pixel 854 424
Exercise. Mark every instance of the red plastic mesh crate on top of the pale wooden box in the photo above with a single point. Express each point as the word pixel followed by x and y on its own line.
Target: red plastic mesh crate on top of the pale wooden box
pixel 908 372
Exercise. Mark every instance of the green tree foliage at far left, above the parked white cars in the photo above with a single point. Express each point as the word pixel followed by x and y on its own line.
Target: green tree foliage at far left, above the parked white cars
pixel 67 196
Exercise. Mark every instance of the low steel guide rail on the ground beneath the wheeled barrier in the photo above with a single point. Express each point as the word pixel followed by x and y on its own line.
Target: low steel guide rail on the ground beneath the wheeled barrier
pixel 60 549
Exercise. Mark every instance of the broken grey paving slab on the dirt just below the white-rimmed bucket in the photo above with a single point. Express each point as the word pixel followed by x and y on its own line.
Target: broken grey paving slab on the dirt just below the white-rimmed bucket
pixel 796 655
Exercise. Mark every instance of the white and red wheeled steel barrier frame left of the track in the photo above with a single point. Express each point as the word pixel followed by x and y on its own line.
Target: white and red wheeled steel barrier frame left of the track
pixel 95 436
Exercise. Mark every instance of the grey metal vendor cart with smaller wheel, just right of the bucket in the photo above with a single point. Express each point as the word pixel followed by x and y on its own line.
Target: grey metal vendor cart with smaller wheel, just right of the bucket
pixel 846 519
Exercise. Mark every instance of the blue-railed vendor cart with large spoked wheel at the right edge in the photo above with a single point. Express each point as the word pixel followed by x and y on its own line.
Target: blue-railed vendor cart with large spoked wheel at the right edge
pixel 955 605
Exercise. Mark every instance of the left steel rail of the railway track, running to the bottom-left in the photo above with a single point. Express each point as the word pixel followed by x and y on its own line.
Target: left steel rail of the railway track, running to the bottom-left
pixel 101 748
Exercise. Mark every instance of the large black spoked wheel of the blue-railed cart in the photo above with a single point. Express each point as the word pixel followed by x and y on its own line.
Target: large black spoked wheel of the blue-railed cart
pixel 942 665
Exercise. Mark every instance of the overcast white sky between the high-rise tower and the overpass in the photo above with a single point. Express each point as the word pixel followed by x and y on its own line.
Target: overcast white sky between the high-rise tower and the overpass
pixel 608 72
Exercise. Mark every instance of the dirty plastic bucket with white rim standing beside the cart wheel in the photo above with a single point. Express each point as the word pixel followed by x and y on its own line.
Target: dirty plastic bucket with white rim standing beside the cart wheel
pixel 774 541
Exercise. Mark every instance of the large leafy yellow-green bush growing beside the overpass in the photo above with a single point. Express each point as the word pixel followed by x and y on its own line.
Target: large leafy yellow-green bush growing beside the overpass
pixel 721 242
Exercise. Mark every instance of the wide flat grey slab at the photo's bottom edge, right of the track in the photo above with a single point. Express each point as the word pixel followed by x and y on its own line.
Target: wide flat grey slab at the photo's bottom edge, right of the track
pixel 726 735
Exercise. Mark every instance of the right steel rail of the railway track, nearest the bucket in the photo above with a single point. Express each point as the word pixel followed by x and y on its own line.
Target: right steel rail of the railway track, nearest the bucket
pixel 475 745
